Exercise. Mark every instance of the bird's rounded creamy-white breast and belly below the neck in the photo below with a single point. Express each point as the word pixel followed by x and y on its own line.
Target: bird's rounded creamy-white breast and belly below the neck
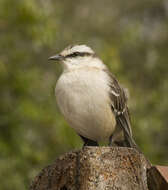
pixel 84 101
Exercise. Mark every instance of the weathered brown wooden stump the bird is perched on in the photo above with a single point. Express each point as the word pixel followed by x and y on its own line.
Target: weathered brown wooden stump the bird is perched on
pixel 95 168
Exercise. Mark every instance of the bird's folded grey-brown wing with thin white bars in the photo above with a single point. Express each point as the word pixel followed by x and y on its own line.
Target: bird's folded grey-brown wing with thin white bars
pixel 119 108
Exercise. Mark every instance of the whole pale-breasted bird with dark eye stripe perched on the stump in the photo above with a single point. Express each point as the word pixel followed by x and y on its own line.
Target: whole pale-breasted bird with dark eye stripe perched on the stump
pixel 91 99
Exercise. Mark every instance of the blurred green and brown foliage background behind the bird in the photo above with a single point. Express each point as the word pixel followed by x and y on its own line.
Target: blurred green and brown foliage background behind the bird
pixel 132 39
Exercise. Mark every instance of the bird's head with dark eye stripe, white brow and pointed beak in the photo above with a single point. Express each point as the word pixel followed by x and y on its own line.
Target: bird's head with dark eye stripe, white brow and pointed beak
pixel 75 56
